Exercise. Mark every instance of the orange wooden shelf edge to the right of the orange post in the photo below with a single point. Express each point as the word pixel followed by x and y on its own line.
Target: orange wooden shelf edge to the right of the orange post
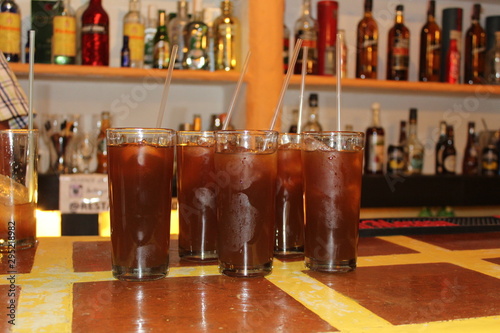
pixel 395 87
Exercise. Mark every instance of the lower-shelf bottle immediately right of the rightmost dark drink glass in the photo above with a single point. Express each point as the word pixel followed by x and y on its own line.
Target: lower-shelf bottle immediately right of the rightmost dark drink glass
pixel 374 146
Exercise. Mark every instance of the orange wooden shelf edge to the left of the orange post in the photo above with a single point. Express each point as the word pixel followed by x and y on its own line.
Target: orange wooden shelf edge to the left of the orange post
pixel 80 73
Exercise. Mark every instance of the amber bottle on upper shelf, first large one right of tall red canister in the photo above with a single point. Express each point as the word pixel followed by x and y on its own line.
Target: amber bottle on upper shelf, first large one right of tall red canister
pixel 367 45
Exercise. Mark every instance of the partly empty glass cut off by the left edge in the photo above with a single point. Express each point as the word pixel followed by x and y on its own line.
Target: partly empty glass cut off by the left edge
pixel 18 189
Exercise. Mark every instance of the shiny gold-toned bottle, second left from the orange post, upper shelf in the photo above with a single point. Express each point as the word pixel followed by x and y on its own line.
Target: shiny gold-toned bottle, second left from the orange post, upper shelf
pixel 196 41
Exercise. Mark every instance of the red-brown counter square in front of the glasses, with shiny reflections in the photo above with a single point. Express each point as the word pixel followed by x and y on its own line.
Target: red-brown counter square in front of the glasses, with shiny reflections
pixel 190 304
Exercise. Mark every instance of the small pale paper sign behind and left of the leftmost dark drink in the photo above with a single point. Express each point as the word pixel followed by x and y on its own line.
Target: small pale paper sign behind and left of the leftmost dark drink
pixel 83 194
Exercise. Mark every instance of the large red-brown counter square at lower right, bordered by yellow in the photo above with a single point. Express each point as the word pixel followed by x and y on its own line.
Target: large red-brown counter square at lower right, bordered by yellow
pixel 406 294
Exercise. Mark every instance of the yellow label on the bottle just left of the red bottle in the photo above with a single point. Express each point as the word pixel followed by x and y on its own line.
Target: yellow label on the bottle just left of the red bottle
pixel 64 36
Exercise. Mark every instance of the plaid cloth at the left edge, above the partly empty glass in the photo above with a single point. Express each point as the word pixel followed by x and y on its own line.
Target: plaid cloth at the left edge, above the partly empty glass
pixel 13 101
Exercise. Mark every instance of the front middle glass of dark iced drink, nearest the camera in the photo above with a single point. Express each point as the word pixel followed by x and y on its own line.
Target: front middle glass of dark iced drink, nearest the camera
pixel 246 169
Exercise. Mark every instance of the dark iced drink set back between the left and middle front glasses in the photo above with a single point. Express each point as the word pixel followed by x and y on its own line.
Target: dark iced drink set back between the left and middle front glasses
pixel 196 195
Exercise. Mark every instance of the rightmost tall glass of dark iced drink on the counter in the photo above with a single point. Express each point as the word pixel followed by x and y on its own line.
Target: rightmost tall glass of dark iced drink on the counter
pixel 332 163
